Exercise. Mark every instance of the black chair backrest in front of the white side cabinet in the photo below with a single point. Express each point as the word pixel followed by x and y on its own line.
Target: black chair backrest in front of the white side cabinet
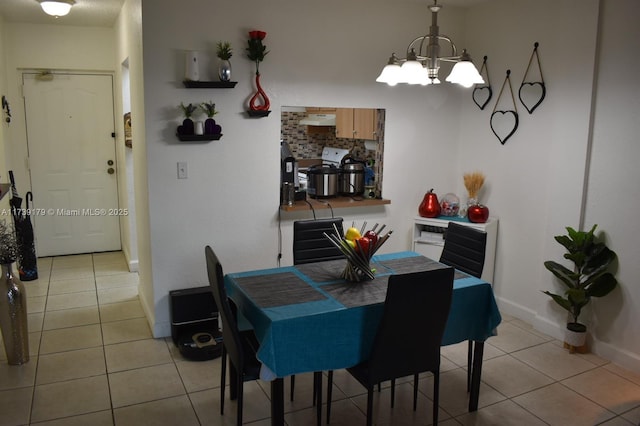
pixel 464 249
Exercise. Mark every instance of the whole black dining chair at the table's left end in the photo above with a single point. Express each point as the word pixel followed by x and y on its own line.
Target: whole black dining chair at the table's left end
pixel 239 346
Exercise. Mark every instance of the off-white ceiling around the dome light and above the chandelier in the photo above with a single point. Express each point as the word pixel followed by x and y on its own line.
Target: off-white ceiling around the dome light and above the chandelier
pixel 103 13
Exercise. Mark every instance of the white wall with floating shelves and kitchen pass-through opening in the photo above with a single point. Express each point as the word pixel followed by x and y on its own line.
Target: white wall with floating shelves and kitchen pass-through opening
pixel 230 200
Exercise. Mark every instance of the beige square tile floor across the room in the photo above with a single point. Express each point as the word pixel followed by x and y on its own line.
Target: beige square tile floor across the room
pixel 94 362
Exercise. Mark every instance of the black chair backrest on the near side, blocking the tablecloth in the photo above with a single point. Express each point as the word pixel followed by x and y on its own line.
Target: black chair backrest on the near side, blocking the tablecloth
pixel 410 333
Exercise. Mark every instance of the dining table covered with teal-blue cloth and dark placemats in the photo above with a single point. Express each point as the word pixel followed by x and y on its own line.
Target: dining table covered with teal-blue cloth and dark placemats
pixel 309 319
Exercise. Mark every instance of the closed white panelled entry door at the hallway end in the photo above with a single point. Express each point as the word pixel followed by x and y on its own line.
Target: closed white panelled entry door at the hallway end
pixel 70 122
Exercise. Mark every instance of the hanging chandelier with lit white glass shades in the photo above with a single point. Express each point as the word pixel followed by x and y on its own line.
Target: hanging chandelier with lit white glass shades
pixel 422 63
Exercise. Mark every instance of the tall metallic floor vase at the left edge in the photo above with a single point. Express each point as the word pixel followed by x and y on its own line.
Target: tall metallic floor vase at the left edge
pixel 13 317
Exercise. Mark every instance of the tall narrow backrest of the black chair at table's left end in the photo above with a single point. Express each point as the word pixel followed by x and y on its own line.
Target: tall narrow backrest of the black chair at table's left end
pixel 230 333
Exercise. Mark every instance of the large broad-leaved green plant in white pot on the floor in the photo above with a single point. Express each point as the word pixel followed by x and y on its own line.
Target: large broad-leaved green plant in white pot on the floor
pixel 589 278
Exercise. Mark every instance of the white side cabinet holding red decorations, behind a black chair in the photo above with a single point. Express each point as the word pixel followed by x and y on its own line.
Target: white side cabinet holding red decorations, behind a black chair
pixel 429 234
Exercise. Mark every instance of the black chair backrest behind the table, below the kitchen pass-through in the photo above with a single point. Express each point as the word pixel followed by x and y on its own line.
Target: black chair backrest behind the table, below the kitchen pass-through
pixel 310 244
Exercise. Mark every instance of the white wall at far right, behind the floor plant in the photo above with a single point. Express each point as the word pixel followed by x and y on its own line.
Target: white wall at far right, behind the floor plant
pixel 613 196
